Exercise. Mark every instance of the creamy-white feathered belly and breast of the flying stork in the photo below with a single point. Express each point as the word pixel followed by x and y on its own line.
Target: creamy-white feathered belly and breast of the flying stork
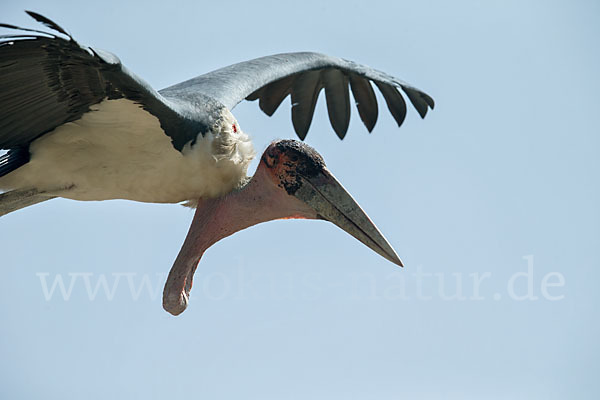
pixel 128 156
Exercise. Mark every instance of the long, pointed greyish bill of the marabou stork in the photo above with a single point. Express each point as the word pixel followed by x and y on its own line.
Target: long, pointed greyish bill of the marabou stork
pixel 332 202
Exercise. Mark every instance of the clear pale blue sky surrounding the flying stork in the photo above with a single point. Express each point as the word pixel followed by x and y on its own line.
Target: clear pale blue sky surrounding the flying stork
pixel 498 184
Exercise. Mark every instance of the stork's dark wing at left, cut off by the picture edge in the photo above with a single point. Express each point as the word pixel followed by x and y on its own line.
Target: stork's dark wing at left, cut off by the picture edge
pixel 47 80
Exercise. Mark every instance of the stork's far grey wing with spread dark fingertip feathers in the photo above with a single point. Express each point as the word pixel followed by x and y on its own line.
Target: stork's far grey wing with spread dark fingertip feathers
pixel 302 75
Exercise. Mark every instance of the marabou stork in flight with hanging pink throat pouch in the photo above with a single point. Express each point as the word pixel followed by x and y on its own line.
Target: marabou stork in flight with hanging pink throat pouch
pixel 77 124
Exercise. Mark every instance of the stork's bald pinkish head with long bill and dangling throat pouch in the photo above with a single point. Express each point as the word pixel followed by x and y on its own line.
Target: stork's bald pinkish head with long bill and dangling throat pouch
pixel 291 181
